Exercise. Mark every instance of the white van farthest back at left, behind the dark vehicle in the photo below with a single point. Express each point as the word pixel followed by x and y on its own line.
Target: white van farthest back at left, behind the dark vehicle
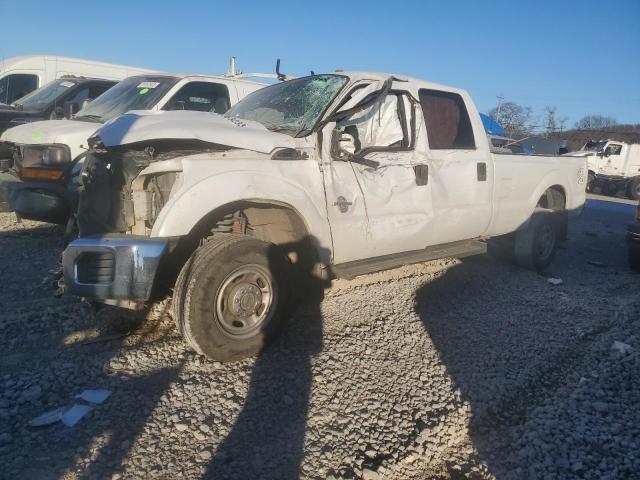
pixel 22 75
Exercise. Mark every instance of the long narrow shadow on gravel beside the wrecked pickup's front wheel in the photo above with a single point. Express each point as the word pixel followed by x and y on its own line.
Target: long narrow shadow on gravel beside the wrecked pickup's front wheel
pixel 267 438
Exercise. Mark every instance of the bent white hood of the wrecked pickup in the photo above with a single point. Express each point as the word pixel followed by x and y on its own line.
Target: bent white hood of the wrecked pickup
pixel 140 126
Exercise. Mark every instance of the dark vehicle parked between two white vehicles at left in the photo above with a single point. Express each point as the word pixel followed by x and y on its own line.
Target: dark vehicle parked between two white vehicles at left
pixel 51 101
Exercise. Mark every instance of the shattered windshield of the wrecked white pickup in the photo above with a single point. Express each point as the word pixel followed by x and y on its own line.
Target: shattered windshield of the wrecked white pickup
pixel 292 107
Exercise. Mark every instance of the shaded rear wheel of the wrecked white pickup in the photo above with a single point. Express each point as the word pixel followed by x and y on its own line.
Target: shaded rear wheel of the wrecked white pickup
pixel 535 245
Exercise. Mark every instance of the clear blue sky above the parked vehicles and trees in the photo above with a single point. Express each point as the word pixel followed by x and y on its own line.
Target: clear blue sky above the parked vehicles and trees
pixel 581 56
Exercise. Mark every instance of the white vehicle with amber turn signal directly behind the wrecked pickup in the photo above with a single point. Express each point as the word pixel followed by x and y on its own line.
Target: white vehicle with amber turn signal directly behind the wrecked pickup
pixel 49 155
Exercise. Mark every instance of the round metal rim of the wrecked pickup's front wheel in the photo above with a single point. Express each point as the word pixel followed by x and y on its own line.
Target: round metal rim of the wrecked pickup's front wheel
pixel 246 300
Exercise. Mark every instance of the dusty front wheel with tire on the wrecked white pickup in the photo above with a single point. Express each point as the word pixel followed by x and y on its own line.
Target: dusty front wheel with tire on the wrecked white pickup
pixel 230 297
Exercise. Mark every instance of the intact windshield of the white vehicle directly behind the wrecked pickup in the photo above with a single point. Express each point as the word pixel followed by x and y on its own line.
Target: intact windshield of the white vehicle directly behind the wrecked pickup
pixel 133 93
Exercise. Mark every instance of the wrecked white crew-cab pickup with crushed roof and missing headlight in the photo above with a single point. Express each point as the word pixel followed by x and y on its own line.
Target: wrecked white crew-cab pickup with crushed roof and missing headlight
pixel 327 175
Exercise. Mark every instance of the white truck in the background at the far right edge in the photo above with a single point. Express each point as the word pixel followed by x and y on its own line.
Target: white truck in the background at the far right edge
pixel 613 166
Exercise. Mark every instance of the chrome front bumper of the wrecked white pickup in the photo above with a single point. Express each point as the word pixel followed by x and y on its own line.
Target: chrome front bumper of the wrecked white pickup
pixel 113 267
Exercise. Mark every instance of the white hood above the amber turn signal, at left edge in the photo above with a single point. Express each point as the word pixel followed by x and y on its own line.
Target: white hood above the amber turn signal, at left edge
pixel 72 133
